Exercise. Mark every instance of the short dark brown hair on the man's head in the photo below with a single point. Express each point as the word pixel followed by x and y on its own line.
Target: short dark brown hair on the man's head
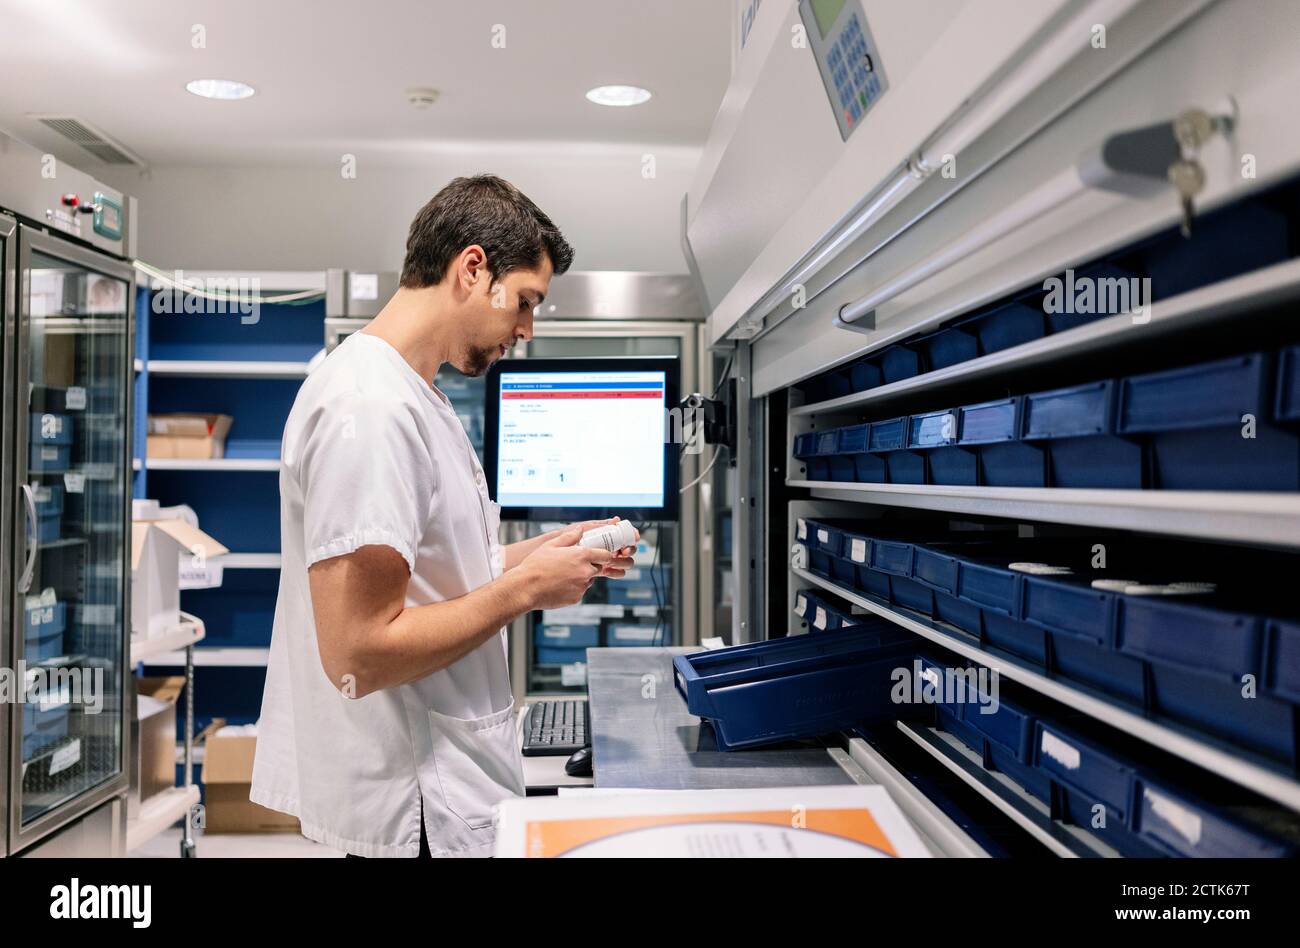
pixel 488 211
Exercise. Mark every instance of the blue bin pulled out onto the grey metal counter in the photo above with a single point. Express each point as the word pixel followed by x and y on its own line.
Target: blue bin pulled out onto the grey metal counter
pixel 795 687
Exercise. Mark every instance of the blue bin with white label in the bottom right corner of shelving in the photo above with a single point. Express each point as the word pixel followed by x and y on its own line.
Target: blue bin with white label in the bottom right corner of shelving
pixel 1181 825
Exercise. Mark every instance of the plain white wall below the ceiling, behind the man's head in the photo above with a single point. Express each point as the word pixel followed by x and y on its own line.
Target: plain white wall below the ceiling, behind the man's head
pixel 296 218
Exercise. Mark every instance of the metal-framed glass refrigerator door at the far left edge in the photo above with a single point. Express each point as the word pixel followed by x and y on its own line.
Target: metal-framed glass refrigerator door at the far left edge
pixel 67 474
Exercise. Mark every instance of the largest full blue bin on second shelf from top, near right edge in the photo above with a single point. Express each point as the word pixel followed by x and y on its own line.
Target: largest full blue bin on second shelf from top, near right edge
pixel 1193 419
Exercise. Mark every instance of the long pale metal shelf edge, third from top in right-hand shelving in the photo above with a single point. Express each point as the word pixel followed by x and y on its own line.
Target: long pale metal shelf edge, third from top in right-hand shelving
pixel 1220 761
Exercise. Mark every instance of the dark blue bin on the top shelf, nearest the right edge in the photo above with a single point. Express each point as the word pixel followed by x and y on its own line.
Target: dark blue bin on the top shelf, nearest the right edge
pixel 1225 244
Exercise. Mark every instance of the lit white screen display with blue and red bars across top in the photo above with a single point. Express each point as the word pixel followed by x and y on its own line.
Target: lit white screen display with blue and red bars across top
pixel 582 440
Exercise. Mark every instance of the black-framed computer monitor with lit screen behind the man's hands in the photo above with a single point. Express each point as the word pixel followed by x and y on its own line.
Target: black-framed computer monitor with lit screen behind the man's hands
pixel 583 439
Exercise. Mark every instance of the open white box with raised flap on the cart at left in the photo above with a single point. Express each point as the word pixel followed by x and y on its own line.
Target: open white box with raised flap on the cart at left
pixel 157 551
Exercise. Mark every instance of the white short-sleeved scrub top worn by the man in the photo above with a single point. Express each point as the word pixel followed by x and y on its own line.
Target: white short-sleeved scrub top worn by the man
pixel 374 454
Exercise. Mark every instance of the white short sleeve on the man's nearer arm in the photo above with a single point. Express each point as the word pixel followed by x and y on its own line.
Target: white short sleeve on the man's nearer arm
pixel 367 478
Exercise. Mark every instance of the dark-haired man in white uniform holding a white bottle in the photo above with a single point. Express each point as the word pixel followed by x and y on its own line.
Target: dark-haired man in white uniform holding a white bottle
pixel 387 722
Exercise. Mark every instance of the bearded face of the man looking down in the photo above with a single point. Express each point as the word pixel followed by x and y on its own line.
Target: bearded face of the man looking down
pixel 500 314
